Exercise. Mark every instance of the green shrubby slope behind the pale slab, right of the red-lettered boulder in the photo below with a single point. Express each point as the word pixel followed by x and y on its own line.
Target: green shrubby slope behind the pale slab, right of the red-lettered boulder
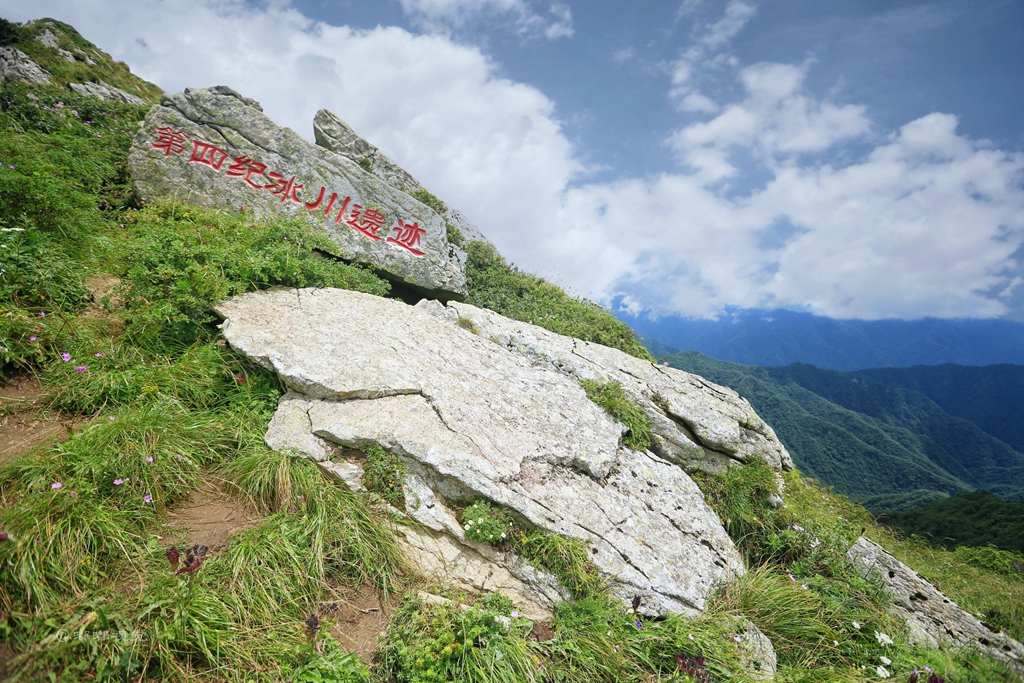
pixel 494 284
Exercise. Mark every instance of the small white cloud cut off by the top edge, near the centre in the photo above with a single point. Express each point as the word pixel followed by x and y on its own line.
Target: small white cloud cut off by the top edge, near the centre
pixel 445 16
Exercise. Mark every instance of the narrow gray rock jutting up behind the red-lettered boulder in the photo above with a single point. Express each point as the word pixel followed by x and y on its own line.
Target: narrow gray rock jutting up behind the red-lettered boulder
pixel 333 134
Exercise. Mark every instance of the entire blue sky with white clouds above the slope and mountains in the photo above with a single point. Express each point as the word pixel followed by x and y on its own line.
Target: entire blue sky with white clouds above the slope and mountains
pixel 854 160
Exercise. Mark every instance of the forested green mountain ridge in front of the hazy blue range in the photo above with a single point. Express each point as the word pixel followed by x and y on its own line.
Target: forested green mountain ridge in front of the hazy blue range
pixel 888 447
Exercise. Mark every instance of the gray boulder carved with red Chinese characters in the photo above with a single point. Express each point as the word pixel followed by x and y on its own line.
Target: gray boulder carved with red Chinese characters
pixel 216 147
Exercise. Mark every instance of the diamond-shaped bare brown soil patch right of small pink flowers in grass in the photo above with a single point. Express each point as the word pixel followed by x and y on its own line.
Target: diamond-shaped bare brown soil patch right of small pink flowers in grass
pixel 211 517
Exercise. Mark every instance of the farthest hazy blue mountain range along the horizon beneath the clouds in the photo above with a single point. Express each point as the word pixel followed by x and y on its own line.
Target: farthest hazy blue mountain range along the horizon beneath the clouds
pixel 759 337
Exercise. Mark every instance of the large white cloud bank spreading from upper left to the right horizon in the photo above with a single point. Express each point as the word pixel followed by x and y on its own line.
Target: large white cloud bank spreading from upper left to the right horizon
pixel 923 222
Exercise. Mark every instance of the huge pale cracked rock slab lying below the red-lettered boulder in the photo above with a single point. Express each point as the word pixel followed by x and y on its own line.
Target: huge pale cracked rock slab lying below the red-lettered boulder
pixel 472 420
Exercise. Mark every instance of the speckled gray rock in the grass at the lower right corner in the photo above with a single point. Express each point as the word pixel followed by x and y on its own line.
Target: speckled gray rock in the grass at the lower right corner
pixel 931 617
